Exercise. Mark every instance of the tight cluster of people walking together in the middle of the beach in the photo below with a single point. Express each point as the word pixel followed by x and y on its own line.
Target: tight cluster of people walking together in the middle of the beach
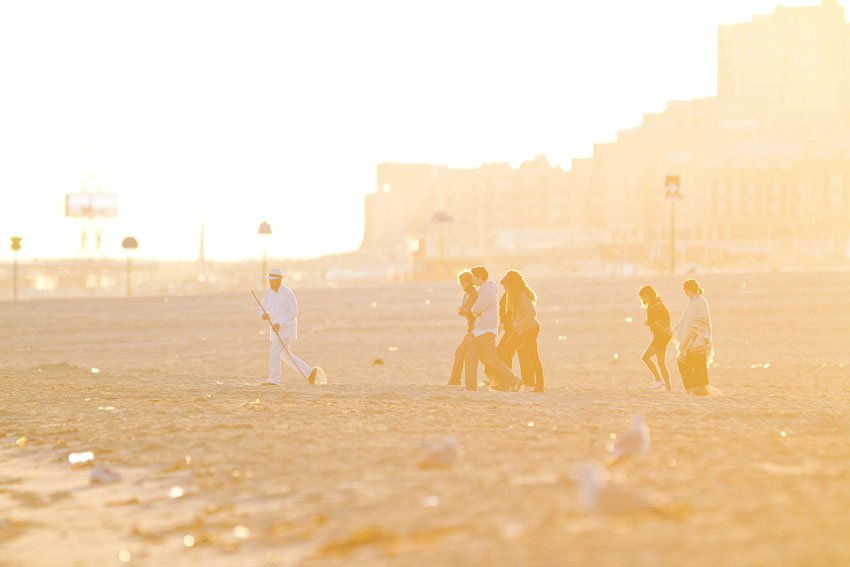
pixel 516 314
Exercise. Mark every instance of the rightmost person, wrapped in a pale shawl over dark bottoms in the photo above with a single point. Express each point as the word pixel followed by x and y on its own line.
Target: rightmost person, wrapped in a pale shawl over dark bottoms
pixel 694 340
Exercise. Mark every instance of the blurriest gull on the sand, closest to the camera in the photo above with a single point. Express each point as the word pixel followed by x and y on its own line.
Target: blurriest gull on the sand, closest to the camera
pixel 598 495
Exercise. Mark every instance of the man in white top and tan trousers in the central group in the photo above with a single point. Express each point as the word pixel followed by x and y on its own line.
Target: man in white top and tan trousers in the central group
pixel 483 347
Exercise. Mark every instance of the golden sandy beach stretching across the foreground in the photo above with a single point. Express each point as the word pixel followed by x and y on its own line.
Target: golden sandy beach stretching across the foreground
pixel 219 469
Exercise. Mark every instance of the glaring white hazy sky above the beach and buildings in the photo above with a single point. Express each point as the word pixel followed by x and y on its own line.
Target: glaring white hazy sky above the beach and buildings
pixel 281 110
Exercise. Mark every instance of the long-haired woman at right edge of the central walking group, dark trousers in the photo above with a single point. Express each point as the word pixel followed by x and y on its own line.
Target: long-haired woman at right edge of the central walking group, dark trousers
pixel 521 304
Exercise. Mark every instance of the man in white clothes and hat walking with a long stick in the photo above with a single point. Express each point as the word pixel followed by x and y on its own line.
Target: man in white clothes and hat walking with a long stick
pixel 282 310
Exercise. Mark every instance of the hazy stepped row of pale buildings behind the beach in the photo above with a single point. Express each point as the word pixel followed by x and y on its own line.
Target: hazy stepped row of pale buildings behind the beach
pixel 765 169
